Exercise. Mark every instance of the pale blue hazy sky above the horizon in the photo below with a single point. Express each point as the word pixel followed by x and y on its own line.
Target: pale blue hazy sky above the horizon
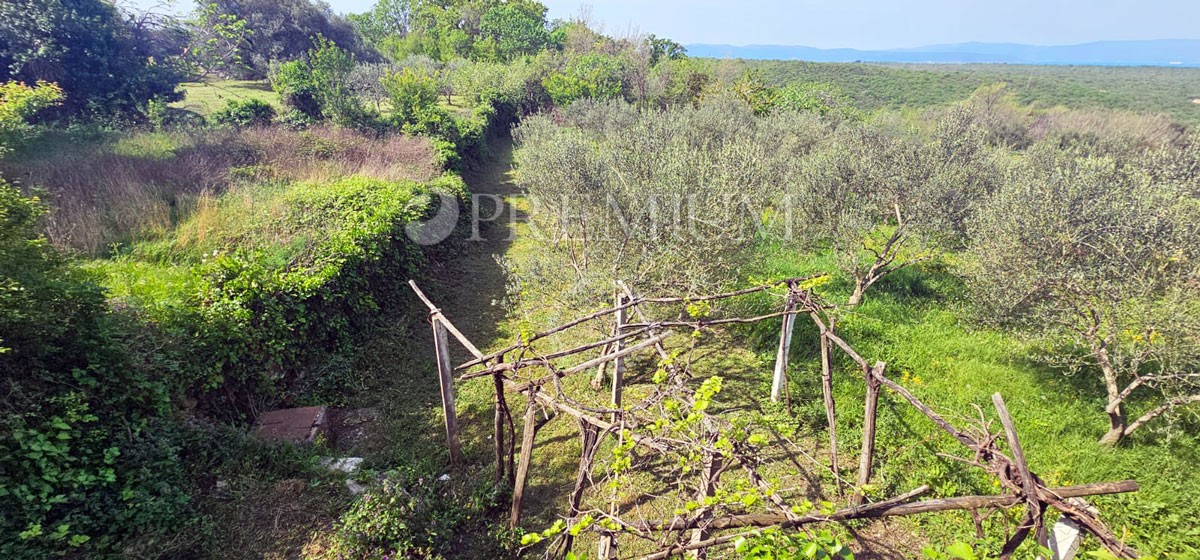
pixel 880 23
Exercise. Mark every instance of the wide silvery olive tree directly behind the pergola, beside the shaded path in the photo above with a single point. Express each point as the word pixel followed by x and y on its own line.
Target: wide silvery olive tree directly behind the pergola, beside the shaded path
pixel 669 201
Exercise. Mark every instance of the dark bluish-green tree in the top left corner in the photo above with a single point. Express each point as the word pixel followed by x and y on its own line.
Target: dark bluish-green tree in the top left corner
pixel 97 57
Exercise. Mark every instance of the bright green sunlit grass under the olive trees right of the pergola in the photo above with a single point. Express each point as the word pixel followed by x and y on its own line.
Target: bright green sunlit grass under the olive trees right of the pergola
pixel 919 324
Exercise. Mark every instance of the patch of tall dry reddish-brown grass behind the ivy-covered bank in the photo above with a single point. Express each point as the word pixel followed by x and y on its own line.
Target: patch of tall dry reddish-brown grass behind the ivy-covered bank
pixel 145 185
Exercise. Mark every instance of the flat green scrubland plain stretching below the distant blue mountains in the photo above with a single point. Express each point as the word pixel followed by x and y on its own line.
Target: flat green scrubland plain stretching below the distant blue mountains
pixel 895 87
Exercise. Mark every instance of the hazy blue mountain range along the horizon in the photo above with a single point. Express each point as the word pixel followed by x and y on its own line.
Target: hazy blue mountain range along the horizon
pixel 1105 53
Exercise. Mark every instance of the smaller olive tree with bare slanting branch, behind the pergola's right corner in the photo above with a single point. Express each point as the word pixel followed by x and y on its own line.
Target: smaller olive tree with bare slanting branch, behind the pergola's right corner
pixel 883 203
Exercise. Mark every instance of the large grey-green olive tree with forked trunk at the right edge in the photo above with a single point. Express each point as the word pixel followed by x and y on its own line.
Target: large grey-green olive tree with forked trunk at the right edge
pixel 1103 262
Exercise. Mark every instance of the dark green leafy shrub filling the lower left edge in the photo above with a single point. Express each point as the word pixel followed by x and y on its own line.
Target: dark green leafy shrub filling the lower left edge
pixel 80 419
